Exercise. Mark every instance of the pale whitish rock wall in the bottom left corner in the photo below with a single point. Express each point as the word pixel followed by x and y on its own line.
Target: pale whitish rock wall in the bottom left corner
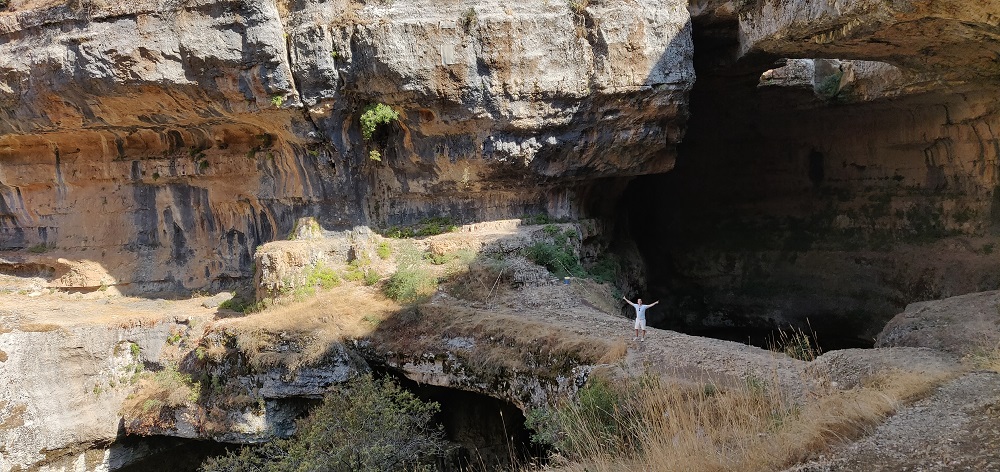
pixel 63 385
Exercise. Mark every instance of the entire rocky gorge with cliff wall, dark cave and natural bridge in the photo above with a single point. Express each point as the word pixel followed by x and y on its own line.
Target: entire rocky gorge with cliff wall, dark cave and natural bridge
pixel 754 165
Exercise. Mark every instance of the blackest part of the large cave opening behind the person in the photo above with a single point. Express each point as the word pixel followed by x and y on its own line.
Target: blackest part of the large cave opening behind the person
pixel 733 239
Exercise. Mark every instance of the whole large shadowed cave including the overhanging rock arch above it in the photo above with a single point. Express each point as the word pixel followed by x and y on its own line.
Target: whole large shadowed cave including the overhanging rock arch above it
pixel 833 190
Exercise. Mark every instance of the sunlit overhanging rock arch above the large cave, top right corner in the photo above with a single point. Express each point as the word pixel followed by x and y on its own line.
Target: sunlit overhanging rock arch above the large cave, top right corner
pixel 953 37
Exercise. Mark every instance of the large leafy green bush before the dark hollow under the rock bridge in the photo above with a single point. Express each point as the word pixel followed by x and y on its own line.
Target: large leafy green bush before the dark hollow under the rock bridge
pixel 368 425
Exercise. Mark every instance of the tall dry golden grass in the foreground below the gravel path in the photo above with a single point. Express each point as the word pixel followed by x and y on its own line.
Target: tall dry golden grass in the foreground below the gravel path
pixel 684 428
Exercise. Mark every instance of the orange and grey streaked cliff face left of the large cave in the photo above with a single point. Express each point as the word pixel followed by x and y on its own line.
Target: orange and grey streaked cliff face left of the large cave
pixel 166 140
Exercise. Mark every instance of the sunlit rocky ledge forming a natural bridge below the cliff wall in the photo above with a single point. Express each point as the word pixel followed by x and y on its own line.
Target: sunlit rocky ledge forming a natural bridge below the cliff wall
pixel 83 387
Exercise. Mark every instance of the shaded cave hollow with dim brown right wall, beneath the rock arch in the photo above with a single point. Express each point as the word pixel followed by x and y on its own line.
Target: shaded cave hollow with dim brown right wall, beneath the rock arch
pixel 784 207
